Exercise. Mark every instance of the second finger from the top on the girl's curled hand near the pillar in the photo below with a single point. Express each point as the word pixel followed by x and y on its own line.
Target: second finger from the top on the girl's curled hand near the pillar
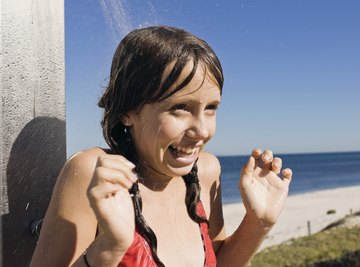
pixel 124 178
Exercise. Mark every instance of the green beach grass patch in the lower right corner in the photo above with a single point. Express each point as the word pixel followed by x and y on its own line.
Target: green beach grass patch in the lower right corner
pixel 337 246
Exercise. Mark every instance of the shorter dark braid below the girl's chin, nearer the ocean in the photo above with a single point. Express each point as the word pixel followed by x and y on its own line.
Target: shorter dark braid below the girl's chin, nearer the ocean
pixel 193 194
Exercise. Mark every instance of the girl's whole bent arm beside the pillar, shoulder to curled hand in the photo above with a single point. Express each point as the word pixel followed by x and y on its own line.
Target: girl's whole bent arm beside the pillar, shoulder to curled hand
pixel 77 208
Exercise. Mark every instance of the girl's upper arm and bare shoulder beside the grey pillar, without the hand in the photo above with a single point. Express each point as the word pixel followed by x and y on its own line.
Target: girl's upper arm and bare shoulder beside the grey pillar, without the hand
pixel 63 235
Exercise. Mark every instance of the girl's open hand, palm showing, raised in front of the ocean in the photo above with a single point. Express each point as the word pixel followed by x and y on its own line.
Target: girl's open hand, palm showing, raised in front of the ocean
pixel 262 188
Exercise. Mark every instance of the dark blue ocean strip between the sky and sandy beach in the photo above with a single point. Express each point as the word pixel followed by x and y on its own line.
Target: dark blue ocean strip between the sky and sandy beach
pixel 311 172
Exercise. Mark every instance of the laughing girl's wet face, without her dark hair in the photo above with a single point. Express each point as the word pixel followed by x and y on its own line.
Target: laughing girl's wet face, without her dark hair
pixel 169 135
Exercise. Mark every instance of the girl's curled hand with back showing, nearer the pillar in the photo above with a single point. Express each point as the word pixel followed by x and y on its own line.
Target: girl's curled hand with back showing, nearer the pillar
pixel 109 198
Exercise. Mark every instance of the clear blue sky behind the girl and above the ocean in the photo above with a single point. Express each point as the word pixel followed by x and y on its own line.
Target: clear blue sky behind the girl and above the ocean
pixel 292 68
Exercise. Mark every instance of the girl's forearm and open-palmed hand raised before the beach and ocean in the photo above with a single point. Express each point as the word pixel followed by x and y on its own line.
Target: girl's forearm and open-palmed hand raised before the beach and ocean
pixel 264 194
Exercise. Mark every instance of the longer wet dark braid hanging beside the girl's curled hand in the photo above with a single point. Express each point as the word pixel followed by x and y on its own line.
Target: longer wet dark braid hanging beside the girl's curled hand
pixel 144 229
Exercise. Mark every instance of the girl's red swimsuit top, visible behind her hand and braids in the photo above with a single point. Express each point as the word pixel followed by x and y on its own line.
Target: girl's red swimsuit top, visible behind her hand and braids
pixel 139 253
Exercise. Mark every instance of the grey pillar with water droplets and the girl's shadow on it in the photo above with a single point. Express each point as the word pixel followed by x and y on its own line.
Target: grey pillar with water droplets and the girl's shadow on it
pixel 32 143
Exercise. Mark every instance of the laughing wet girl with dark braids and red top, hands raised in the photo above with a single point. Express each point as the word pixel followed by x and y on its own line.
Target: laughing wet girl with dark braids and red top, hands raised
pixel 154 197
